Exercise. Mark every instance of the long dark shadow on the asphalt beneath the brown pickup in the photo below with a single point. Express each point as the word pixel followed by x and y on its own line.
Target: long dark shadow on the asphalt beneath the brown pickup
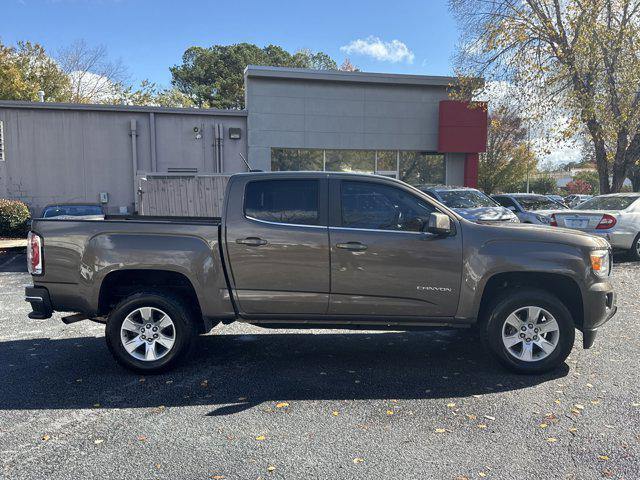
pixel 231 373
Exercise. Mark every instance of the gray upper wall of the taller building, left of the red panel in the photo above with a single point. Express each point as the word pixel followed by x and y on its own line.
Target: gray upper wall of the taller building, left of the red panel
pixel 303 113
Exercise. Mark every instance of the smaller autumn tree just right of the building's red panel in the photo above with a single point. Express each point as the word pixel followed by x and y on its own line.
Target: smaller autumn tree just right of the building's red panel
pixel 508 156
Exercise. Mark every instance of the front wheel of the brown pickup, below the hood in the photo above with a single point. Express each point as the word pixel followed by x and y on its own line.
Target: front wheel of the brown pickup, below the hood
pixel 536 355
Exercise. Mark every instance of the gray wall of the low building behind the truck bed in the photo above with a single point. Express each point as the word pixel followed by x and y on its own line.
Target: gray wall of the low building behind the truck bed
pixel 57 153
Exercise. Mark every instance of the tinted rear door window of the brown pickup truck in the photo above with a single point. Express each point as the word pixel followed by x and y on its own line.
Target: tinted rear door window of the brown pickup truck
pixel 283 201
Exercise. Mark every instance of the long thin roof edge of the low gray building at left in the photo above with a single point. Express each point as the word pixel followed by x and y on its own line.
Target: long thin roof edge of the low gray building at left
pixel 120 108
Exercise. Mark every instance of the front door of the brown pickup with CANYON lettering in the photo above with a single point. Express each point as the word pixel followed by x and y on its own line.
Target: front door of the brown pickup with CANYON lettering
pixel 382 262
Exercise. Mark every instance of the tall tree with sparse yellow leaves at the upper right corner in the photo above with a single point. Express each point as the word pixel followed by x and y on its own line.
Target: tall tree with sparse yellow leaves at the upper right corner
pixel 580 55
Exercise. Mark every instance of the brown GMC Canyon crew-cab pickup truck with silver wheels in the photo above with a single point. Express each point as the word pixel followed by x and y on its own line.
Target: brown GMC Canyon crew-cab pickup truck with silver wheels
pixel 322 250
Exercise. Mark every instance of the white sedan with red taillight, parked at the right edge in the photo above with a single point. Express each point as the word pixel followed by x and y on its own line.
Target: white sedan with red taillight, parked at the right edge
pixel 615 217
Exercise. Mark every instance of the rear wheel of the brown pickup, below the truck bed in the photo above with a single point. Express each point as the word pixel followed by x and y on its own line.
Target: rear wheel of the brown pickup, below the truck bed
pixel 150 355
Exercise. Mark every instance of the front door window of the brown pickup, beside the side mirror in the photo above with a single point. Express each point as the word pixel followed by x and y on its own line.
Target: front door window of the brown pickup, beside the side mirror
pixel 382 207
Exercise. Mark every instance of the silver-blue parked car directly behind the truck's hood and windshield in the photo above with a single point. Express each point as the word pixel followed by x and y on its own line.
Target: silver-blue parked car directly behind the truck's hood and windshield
pixel 472 204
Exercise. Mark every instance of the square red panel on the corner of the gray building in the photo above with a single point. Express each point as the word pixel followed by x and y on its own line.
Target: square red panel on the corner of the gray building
pixel 462 127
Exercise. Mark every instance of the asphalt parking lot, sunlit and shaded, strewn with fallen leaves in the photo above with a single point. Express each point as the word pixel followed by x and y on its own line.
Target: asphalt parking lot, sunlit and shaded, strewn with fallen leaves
pixel 254 403
